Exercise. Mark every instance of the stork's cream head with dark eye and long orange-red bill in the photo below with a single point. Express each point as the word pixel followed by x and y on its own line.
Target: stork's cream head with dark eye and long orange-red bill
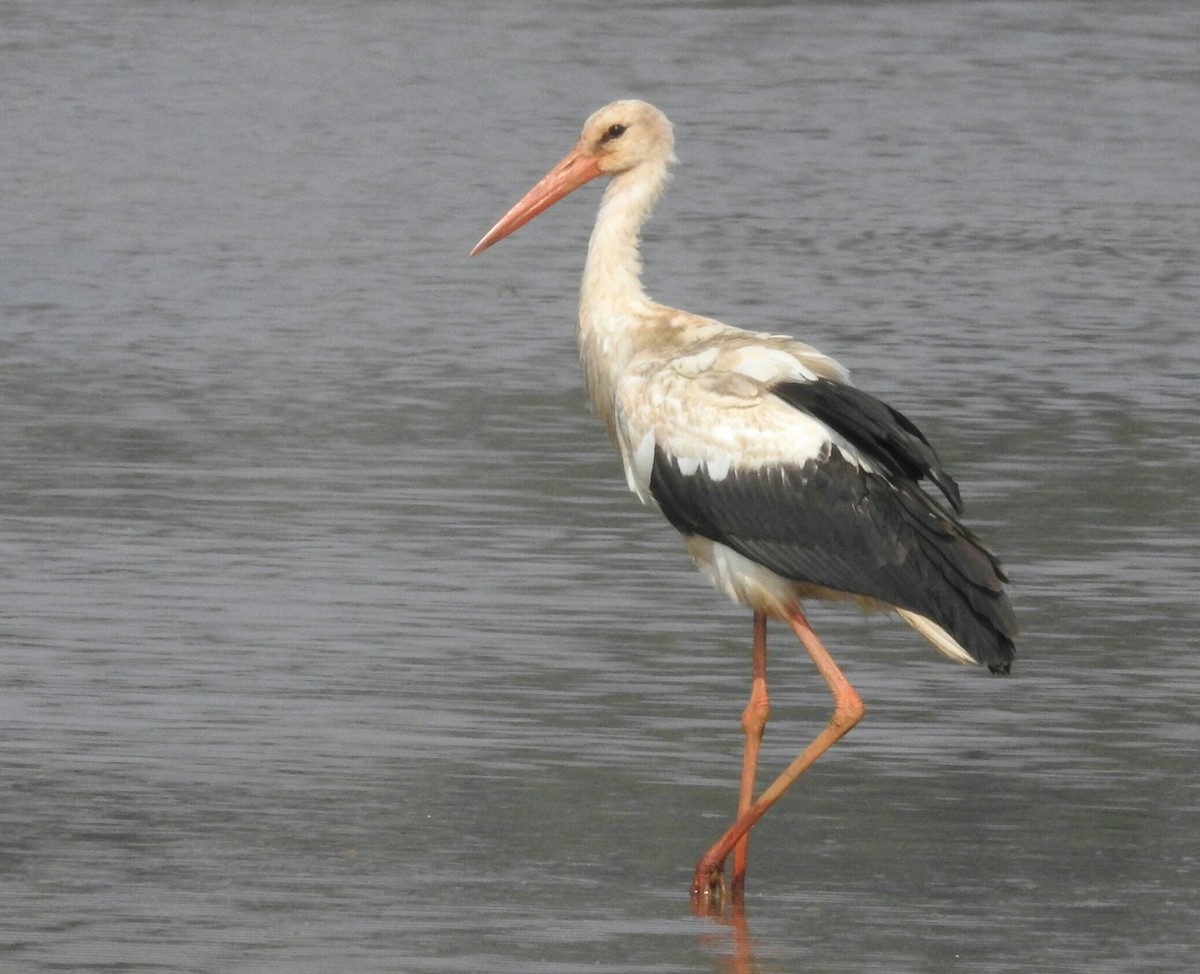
pixel 619 139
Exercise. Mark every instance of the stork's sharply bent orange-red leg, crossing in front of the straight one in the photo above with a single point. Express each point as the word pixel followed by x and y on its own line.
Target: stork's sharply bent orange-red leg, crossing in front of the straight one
pixel 848 711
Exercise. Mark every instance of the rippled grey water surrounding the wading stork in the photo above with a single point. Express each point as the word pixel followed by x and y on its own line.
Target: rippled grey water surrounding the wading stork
pixel 331 636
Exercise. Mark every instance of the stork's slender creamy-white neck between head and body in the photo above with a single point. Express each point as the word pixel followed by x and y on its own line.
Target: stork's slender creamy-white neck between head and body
pixel 613 304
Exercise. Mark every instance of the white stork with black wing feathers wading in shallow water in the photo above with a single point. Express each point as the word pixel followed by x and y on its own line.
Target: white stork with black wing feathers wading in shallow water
pixel 785 480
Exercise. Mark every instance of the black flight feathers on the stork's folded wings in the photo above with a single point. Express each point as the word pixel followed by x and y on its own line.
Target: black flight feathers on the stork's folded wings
pixel 836 525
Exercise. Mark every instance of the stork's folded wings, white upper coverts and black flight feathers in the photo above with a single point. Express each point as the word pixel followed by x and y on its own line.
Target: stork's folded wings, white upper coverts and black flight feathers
pixel 819 483
